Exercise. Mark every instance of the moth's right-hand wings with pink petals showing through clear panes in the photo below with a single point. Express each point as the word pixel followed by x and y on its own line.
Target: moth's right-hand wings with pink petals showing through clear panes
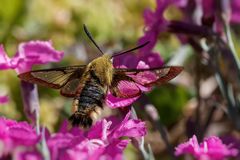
pixel 128 83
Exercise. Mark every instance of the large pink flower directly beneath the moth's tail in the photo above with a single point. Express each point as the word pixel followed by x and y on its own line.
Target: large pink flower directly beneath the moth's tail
pixel 102 141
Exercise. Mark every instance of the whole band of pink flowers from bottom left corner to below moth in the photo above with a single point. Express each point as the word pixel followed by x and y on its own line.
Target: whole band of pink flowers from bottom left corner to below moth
pixel 105 140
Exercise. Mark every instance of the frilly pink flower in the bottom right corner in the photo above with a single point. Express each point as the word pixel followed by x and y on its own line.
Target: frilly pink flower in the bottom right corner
pixel 211 148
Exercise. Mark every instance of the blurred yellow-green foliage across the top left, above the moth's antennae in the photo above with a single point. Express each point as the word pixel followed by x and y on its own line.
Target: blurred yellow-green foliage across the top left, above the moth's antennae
pixel 61 21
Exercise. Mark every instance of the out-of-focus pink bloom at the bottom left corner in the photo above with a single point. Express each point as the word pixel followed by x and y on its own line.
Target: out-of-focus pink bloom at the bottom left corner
pixel 16 134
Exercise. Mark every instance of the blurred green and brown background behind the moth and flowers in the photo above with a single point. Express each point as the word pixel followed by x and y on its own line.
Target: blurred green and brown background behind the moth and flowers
pixel 193 99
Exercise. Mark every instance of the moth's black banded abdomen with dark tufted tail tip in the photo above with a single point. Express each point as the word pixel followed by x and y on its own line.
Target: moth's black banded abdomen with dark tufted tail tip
pixel 92 96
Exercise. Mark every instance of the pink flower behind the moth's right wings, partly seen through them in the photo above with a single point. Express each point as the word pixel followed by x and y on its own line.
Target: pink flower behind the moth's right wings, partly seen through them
pixel 131 87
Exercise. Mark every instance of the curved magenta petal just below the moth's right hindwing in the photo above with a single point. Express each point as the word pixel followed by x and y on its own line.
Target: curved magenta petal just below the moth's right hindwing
pixel 115 102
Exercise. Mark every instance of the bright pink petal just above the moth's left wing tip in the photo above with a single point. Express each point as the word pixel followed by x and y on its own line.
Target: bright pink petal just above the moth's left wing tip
pixel 35 52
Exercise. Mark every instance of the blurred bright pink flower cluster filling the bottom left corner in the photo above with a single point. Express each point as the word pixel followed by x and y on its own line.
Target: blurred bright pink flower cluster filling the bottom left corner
pixel 18 140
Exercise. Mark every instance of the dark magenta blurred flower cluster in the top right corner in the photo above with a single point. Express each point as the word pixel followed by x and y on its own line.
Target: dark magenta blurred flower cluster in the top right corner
pixel 156 23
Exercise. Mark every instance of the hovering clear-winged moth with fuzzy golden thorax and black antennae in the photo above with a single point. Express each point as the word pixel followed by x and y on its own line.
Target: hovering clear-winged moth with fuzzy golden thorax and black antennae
pixel 89 84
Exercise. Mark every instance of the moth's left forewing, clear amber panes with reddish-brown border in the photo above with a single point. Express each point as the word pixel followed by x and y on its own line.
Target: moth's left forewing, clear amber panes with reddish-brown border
pixel 54 78
